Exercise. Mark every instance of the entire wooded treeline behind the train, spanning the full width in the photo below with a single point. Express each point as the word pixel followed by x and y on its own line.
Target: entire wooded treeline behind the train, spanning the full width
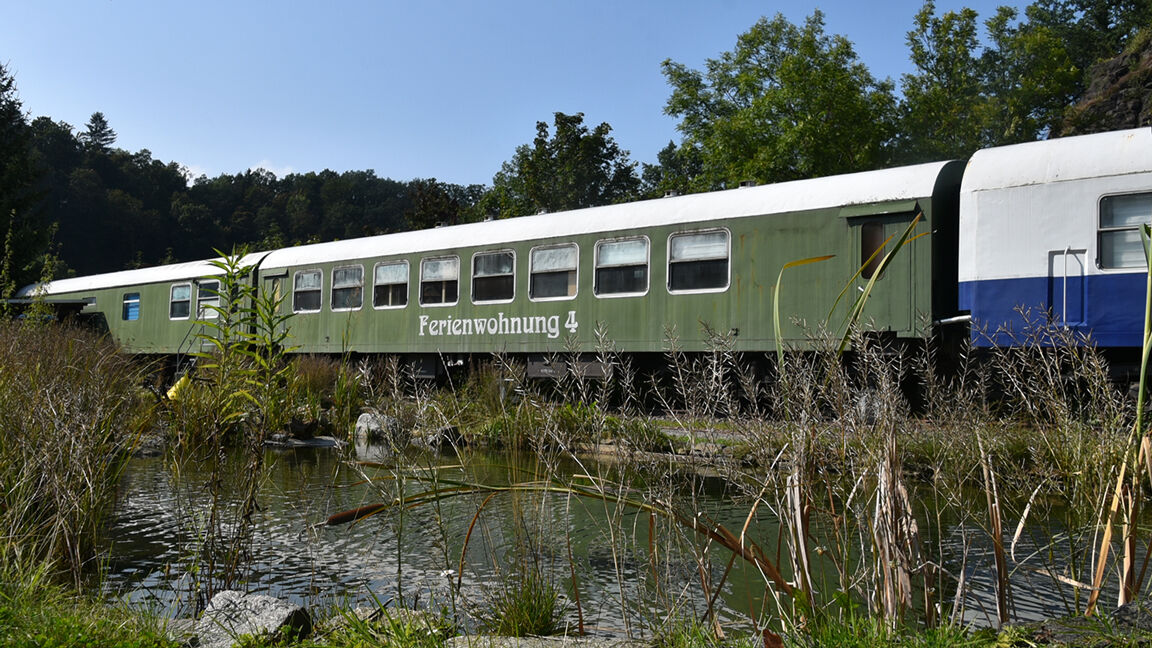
pixel 790 101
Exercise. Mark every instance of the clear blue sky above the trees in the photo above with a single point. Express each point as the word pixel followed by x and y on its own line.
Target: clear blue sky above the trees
pixel 442 89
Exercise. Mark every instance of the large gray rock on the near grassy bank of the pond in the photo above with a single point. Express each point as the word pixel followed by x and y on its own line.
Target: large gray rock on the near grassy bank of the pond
pixel 232 615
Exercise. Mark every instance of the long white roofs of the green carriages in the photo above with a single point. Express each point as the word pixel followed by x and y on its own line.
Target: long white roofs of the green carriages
pixel 901 184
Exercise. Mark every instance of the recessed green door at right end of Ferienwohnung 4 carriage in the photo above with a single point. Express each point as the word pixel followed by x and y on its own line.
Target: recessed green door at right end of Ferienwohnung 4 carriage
pixel 890 306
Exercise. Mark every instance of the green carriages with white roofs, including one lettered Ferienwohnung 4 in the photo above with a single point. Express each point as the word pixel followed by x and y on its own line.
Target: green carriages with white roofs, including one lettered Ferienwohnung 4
pixel 543 284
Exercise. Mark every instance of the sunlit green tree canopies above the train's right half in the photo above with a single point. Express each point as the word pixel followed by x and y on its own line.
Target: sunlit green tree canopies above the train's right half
pixel 792 102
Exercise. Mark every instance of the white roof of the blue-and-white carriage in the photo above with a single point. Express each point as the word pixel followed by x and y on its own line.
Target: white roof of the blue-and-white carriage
pixel 1119 153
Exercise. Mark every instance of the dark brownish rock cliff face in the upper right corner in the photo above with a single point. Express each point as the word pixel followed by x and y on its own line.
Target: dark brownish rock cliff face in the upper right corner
pixel 1119 95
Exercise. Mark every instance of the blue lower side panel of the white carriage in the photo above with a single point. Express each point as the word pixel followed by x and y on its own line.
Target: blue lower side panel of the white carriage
pixel 1112 307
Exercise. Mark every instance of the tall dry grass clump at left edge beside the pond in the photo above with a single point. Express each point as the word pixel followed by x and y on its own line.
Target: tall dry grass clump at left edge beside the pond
pixel 71 412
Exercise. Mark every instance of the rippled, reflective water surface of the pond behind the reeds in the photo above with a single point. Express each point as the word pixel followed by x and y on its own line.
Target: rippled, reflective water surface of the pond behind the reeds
pixel 415 554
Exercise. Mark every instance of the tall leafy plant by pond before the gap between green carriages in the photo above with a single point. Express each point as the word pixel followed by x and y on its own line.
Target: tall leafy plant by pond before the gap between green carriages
pixel 242 393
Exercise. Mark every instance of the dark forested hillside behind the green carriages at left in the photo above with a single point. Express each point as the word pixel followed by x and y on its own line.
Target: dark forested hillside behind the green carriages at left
pixel 116 209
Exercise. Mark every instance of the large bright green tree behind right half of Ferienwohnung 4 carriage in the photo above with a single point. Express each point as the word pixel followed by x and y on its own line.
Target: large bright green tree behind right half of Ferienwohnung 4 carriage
pixel 787 103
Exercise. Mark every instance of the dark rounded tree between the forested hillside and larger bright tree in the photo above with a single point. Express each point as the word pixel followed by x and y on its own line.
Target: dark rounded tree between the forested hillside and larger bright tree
pixel 570 169
